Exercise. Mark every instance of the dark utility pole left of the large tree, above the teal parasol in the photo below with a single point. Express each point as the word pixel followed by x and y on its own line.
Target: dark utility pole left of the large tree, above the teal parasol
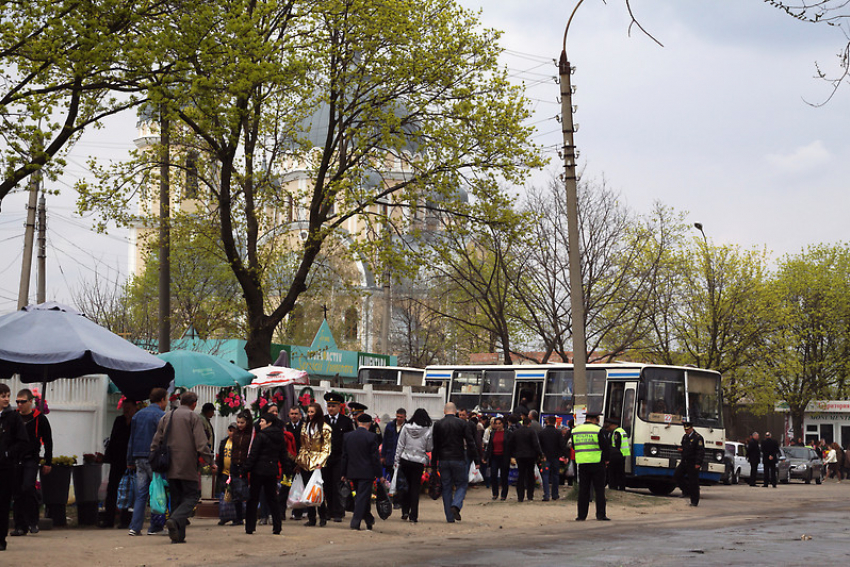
pixel 164 235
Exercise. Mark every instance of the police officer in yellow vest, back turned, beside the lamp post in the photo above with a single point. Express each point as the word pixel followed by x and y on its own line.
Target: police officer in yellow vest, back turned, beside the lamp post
pixel 591 446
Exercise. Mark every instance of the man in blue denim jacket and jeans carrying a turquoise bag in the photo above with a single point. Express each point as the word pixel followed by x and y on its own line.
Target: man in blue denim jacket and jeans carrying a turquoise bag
pixel 142 429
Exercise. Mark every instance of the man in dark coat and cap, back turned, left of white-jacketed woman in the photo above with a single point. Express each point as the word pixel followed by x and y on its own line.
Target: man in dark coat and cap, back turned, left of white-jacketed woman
pixel 361 464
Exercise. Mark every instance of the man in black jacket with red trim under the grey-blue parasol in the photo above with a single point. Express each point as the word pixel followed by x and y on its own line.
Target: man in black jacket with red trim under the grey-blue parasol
pixel 39 434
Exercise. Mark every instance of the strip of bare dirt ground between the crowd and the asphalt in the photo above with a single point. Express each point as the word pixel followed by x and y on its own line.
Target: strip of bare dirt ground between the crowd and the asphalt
pixel 486 526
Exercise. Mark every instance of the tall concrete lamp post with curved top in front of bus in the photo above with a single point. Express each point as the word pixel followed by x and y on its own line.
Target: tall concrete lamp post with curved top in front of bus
pixel 571 185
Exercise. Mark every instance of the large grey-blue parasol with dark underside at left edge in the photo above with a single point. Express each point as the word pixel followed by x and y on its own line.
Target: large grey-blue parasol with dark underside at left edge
pixel 48 341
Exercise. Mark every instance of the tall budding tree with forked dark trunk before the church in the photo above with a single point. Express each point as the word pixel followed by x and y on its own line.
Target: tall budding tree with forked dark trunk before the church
pixel 368 106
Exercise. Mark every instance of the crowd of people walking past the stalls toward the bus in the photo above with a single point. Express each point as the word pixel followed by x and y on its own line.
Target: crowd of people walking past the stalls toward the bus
pixel 257 463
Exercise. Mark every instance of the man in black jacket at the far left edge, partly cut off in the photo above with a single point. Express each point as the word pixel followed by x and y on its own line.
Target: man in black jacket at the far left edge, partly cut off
pixel 13 444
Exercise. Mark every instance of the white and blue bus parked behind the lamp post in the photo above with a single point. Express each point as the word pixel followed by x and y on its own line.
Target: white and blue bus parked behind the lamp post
pixel 648 401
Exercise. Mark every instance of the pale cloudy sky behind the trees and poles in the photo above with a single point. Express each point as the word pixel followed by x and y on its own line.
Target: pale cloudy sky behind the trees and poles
pixel 717 123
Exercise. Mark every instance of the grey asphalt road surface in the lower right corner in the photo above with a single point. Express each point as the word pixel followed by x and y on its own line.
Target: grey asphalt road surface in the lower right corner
pixel 793 524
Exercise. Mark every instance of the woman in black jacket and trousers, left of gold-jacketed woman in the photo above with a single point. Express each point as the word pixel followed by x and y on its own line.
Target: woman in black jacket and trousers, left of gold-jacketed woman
pixel 268 454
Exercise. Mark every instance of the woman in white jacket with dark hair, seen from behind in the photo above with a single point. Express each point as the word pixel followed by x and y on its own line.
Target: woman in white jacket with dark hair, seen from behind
pixel 414 443
